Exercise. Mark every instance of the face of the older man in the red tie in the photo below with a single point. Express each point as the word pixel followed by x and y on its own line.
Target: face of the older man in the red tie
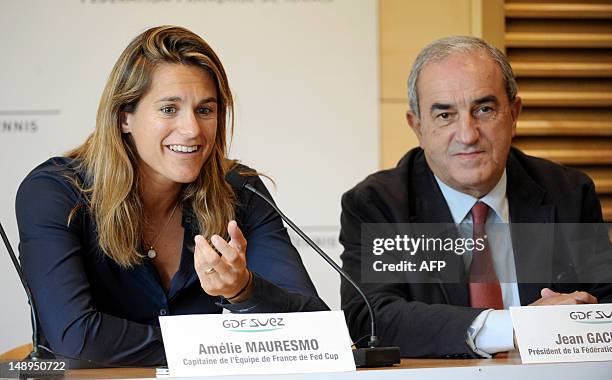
pixel 467 122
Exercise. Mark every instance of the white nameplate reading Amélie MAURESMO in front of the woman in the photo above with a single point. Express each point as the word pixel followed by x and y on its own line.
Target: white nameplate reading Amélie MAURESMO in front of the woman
pixel 239 344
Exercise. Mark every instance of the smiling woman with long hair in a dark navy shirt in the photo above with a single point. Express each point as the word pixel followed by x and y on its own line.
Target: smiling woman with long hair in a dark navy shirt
pixel 117 232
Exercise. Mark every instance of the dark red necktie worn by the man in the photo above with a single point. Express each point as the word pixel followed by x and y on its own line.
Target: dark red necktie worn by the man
pixel 485 291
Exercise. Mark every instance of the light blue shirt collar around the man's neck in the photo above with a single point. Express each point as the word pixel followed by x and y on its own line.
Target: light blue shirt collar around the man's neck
pixel 460 203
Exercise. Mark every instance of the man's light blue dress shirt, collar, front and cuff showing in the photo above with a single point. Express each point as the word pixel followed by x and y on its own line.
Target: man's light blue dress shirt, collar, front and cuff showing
pixel 492 330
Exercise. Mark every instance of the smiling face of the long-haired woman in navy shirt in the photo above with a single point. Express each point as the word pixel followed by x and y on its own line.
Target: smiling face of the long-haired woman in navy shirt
pixel 174 125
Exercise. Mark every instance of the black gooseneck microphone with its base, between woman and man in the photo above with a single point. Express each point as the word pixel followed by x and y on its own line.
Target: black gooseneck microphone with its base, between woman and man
pixel 372 356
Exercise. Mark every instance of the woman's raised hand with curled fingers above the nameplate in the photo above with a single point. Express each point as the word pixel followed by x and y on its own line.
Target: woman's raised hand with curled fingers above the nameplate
pixel 225 274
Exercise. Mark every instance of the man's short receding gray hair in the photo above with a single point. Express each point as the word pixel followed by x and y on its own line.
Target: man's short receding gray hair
pixel 441 49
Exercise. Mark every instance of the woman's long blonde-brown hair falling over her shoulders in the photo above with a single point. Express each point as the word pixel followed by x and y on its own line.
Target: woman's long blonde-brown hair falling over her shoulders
pixel 110 161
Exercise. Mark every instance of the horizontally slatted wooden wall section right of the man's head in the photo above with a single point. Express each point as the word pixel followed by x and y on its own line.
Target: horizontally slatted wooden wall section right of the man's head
pixel 561 52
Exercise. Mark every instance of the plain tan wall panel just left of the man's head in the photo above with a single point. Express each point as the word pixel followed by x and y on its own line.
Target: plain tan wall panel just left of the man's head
pixel 406 26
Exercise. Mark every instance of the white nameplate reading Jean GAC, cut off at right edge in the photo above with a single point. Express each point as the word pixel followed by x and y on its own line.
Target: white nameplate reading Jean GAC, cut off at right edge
pixel 564 333
